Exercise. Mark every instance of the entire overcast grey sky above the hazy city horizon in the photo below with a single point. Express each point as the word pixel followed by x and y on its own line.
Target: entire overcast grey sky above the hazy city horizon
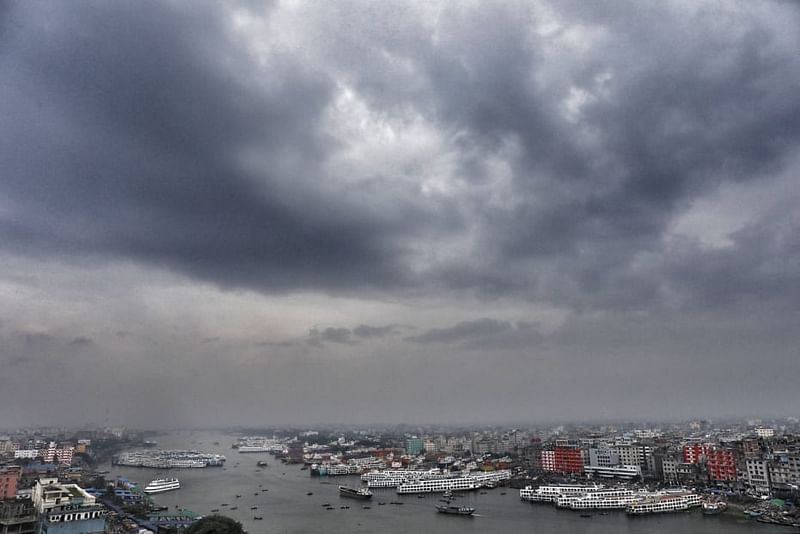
pixel 297 212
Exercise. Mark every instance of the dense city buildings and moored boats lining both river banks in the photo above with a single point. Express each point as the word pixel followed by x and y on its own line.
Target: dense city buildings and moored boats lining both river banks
pixel 51 478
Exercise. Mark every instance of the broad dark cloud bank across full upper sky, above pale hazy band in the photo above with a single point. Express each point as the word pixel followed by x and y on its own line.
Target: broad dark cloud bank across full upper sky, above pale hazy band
pixel 151 132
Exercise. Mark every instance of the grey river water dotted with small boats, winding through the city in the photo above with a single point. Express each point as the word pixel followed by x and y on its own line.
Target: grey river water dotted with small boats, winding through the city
pixel 286 507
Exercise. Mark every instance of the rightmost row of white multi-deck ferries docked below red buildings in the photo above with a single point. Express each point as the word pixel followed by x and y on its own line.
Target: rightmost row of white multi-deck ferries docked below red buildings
pixel 596 497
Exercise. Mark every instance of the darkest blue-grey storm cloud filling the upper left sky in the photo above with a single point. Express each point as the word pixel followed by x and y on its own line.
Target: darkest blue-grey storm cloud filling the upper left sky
pixel 129 126
